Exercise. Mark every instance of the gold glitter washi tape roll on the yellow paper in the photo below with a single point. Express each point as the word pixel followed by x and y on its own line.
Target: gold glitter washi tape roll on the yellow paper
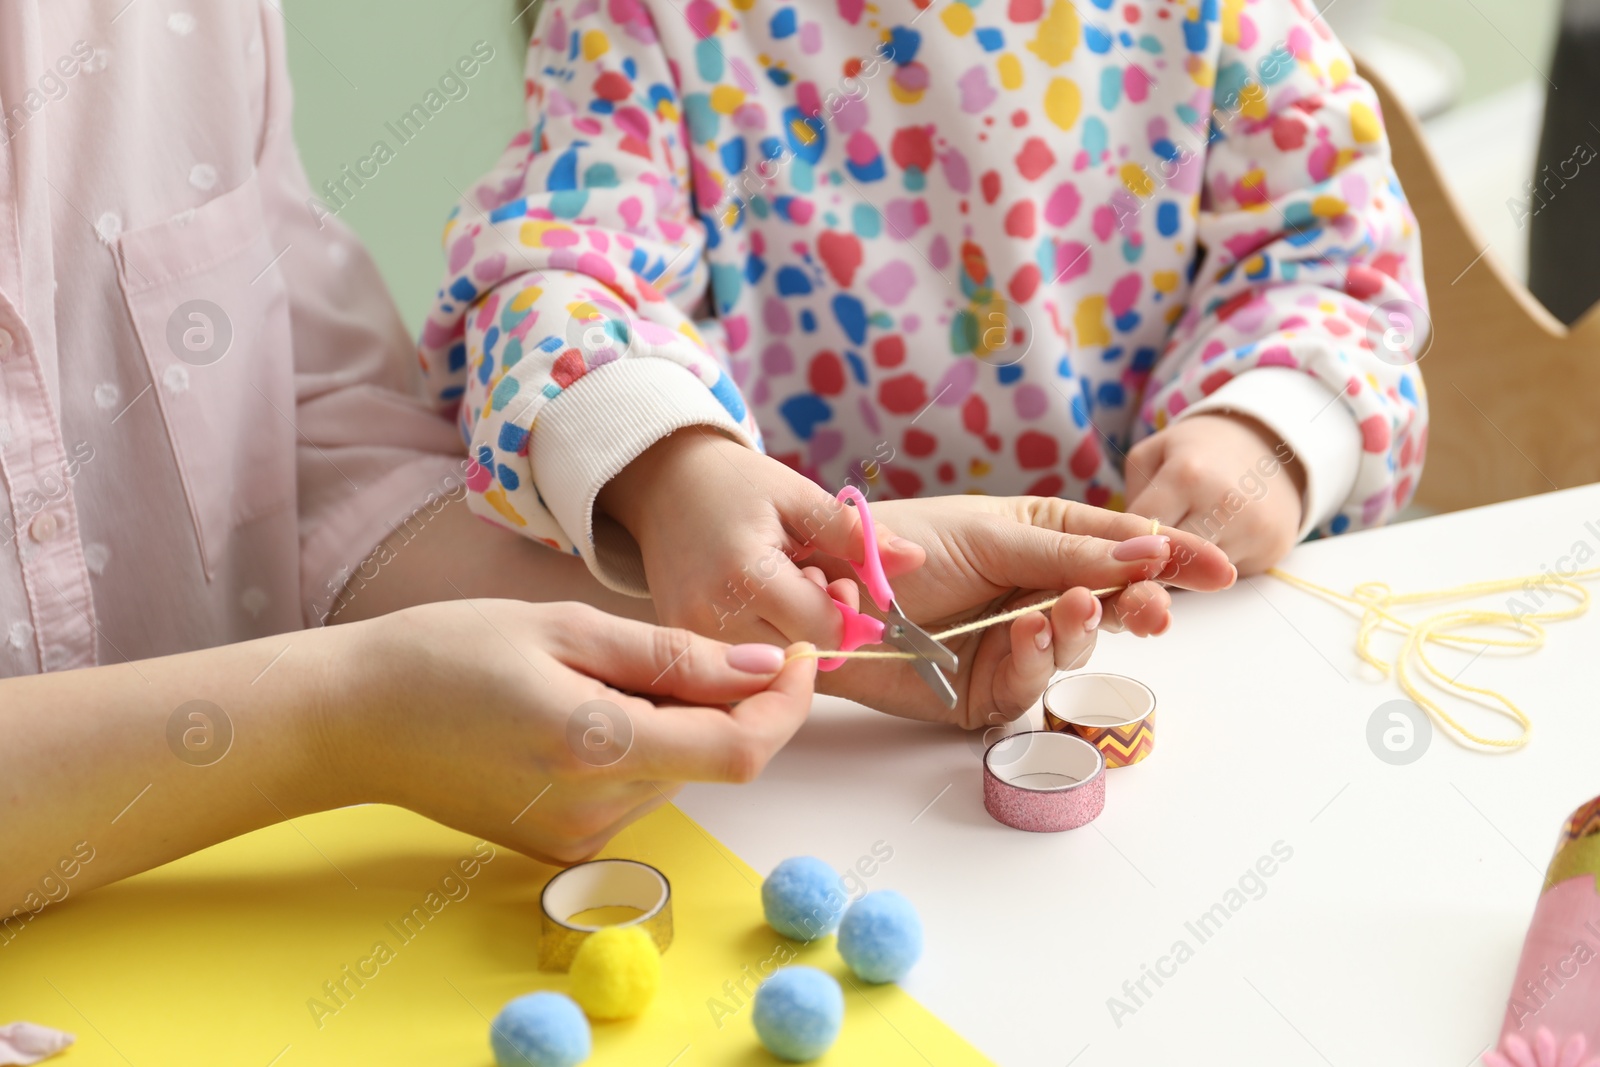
pixel 601 884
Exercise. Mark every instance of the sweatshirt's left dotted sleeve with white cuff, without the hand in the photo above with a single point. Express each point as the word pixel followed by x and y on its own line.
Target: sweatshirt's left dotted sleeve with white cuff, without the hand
pixel 567 324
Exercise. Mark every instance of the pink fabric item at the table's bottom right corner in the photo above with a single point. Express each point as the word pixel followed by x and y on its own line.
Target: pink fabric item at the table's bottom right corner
pixel 1553 1018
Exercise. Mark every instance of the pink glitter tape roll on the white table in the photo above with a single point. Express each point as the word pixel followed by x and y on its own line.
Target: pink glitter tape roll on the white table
pixel 1044 781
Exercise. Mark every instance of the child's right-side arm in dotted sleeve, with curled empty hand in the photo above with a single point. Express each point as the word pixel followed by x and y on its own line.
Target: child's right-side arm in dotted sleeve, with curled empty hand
pixel 1308 244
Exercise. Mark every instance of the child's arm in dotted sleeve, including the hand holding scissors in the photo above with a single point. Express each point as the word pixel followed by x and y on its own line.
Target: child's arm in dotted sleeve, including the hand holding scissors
pixel 567 334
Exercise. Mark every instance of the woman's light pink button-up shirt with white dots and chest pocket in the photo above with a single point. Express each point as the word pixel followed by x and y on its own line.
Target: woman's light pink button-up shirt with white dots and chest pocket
pixel 153 502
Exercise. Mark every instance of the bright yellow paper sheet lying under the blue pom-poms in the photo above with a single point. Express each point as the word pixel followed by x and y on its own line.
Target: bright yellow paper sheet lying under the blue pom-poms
pixel 254 954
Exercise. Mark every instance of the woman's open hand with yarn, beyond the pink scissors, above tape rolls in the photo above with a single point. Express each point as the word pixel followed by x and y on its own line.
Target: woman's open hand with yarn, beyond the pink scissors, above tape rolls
pixel 990 554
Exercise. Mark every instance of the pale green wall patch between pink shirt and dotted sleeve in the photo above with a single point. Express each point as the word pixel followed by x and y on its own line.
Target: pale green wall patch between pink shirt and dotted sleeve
pixel 359 65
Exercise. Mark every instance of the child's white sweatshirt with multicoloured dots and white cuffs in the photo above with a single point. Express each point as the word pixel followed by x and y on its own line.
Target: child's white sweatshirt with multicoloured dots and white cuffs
pixel 930 247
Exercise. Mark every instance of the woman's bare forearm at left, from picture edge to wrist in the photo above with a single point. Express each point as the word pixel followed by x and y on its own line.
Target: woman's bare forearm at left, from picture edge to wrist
pixel 116 770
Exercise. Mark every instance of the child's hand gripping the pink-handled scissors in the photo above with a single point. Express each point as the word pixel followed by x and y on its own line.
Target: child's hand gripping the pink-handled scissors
pixel 722 529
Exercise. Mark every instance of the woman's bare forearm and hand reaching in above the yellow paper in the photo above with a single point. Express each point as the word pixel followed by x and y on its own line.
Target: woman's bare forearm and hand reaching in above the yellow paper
pixel 502 719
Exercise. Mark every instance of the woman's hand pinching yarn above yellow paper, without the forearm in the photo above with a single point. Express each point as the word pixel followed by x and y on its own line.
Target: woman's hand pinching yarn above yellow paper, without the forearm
pixel 548 729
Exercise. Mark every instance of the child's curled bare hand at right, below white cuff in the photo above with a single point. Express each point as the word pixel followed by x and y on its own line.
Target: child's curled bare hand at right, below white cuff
pixel 1218 476
